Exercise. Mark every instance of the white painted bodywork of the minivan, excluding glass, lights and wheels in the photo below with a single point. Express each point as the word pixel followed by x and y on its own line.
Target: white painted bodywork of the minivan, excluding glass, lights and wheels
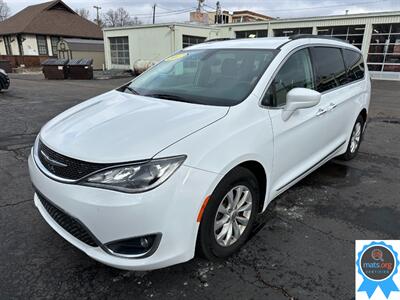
pixel 120 127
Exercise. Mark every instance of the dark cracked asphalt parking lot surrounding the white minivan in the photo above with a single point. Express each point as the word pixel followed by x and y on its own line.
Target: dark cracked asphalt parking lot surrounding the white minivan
pixel 303 247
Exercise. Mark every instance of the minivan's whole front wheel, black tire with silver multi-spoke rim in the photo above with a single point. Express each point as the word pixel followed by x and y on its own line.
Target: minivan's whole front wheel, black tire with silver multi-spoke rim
pixel 239 181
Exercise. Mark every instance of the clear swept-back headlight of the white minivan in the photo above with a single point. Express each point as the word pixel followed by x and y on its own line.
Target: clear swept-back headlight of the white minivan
pixel 136 178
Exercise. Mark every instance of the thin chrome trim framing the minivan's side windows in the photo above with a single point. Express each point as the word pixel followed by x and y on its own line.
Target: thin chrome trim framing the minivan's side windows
pixel 293 51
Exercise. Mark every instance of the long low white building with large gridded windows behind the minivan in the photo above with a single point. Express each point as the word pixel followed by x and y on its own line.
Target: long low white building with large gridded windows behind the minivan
pixel 376 34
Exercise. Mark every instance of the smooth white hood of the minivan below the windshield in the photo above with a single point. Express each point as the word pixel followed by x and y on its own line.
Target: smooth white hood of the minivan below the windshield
pixel 120 127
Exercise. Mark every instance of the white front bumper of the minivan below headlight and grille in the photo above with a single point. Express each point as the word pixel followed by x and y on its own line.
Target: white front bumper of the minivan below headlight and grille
pixel 171 210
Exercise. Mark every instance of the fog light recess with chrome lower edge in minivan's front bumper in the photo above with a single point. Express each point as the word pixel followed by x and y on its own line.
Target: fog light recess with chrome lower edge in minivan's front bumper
pixel 138 246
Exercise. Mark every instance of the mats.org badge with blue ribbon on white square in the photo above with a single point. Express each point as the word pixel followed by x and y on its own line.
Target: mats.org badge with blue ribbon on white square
pixel 377 270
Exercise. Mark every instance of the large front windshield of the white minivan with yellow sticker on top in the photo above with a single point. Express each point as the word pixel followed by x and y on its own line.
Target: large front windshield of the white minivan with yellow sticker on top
pixel 222 77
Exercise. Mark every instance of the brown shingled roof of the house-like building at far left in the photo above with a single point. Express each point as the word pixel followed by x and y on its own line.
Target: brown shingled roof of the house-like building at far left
pixel 50 18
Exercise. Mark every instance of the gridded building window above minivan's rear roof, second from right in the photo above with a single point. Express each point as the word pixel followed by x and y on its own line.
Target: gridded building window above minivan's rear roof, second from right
pixel 352 34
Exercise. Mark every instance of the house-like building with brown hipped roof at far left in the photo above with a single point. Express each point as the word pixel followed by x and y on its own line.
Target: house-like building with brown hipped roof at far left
pixel 32 35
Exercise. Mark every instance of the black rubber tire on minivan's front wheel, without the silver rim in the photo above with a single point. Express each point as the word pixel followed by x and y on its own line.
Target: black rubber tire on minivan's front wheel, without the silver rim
pixel 207 245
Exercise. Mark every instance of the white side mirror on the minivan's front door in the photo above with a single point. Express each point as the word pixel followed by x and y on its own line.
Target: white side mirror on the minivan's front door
pixel 299 98
